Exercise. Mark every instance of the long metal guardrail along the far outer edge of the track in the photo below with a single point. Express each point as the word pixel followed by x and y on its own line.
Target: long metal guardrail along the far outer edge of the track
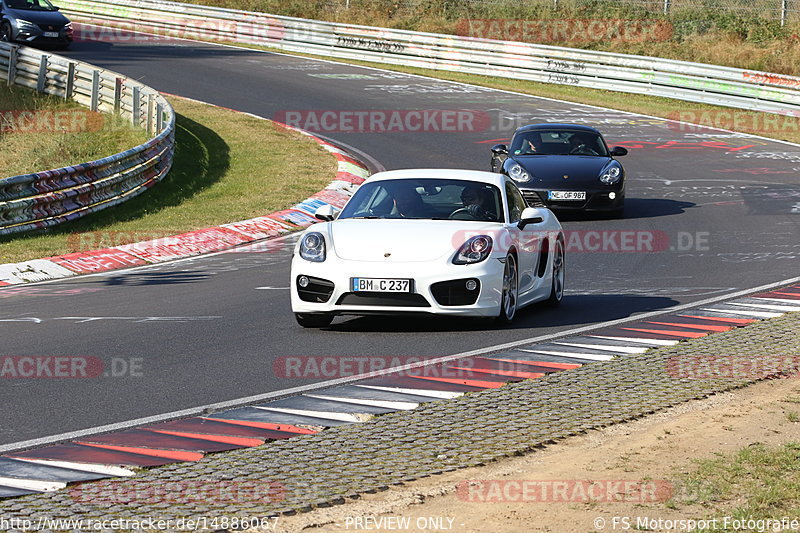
pixel 696 82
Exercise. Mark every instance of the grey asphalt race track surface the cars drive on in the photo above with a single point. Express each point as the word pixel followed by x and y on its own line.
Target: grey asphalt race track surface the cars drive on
pixel 714 212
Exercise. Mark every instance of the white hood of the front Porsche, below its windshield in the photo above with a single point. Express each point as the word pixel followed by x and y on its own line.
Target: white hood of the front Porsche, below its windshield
pixel 392 240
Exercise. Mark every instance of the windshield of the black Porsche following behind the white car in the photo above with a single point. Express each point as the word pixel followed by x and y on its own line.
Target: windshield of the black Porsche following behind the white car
pixel 558 142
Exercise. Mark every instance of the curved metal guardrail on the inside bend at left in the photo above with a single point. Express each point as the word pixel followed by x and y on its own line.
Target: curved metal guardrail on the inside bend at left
pixel 44 199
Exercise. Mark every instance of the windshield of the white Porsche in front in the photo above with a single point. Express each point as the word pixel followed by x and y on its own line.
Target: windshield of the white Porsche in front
pixel 439 199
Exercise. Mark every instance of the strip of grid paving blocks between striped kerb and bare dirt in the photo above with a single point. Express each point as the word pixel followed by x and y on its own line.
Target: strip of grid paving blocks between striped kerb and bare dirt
pixel 330 467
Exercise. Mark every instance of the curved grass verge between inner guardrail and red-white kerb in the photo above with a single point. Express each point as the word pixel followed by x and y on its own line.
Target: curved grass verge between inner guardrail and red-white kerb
pixel 228 166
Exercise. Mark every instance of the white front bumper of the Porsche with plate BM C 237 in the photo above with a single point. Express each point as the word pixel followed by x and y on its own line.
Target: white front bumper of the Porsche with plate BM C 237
pixel 489 274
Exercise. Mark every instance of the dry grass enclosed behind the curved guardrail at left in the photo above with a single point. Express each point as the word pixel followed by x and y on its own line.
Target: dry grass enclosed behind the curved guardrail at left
pixel 41 132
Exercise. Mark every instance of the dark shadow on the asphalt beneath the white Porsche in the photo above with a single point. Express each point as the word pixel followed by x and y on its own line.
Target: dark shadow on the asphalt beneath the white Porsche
pixel 575 310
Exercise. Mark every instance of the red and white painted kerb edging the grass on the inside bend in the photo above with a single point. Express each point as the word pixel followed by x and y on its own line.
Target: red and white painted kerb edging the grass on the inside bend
pixel 350 174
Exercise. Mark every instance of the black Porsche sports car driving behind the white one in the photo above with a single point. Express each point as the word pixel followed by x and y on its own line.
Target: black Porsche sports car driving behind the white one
pixel 565 167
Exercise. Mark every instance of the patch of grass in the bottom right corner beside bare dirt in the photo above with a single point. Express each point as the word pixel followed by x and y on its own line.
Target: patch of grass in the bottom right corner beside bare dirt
pixel 756 483
